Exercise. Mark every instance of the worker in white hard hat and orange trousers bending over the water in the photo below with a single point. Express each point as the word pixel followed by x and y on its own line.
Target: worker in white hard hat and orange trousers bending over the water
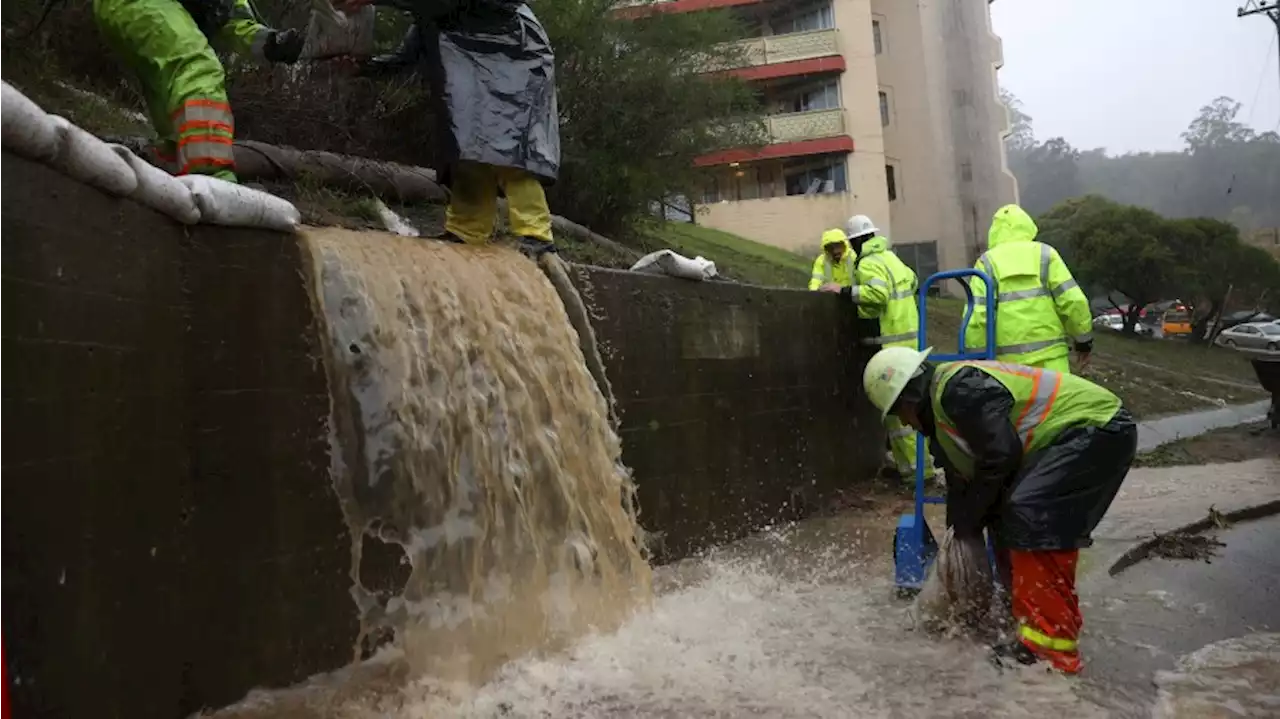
pixel 1037 457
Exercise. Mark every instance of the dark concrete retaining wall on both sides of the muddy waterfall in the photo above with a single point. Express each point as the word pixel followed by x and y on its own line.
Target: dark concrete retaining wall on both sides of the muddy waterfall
pixel 168 533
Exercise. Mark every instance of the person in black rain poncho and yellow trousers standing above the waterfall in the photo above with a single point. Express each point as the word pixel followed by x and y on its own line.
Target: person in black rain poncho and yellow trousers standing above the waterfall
pixel 492 75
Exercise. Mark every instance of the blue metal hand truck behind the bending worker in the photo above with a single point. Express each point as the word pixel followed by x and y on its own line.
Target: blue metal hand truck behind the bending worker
pixel 915 546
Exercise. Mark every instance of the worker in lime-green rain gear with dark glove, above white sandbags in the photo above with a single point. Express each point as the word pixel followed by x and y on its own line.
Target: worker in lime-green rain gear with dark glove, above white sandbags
pixel 167 44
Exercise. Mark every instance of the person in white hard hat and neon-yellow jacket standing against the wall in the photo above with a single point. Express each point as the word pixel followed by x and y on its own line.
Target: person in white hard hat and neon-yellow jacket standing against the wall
pixel 884 290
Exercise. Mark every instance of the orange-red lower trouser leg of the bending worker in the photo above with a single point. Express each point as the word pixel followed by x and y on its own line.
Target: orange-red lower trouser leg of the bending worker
pixel 1046 607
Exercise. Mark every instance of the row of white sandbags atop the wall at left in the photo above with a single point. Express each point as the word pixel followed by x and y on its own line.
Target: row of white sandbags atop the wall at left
pixel 29 131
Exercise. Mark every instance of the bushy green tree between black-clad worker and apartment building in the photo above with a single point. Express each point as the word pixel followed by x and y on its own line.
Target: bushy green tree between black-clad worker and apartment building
pixel 638 107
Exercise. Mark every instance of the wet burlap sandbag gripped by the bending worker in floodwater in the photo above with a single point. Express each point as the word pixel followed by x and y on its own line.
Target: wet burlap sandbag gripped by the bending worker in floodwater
pixel 958 589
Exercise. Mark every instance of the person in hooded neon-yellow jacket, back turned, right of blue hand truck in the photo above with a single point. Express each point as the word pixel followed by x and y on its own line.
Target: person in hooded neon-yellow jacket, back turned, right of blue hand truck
pixel 1041 312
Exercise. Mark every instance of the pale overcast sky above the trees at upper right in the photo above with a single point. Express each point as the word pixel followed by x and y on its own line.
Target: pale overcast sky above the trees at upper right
pixel 1131 75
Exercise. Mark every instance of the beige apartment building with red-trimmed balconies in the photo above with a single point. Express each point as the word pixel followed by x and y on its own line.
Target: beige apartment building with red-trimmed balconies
pixel 886 108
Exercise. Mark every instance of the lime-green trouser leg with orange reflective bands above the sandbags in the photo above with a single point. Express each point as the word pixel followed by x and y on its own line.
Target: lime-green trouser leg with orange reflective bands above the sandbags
pixel 182 80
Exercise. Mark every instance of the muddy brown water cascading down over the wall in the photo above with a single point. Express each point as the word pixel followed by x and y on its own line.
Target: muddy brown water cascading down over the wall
pixel 468 432
